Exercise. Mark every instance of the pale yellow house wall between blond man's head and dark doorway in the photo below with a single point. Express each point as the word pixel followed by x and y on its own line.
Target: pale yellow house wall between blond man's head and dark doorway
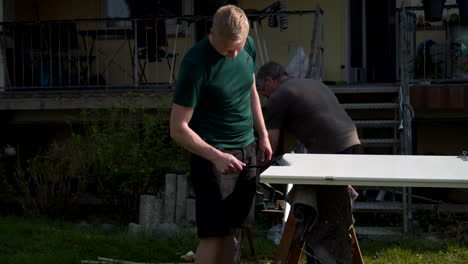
pixel 282 46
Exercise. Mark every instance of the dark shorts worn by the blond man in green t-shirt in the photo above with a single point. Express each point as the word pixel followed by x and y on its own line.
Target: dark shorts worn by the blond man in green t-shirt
pixel 223 201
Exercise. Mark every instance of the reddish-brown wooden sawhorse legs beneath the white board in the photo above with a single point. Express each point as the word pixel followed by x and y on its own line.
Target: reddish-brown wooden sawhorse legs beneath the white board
pixel 290 248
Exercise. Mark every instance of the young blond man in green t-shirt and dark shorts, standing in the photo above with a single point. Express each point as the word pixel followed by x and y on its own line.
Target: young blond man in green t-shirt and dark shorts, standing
pixel 215 110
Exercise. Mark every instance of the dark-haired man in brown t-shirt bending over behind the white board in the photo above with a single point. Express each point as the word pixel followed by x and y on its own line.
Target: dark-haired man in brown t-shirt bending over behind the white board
pixel 310 111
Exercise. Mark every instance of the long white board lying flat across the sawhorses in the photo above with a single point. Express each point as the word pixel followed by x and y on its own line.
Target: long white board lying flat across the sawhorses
pixel 370 170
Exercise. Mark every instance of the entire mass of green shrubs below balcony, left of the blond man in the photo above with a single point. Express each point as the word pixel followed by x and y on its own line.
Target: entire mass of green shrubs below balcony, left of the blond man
pixel 119 155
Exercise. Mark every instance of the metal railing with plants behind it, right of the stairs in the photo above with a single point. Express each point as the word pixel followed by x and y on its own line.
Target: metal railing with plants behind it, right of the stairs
pixel 432 51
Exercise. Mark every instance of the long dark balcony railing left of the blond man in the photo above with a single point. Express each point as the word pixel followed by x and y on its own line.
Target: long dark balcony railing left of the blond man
pixel 92 53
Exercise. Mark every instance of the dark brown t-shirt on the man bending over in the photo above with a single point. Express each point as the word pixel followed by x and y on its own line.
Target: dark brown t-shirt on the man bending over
pixel 311 112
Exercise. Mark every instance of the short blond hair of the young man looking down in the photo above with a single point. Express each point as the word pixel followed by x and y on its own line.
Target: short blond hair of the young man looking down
pixel 230 23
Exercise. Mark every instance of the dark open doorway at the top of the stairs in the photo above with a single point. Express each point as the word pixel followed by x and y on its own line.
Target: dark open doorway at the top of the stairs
pixel 381 41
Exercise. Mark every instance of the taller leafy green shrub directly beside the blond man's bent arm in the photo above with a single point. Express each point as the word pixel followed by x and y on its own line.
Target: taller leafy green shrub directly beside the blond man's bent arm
pixel 132 152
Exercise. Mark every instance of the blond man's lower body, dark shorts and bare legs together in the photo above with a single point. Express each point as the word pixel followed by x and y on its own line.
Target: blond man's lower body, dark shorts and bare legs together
pixel 222 204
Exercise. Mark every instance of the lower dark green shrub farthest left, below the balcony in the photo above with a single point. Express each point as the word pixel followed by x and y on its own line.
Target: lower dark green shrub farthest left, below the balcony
pixel 44 185
